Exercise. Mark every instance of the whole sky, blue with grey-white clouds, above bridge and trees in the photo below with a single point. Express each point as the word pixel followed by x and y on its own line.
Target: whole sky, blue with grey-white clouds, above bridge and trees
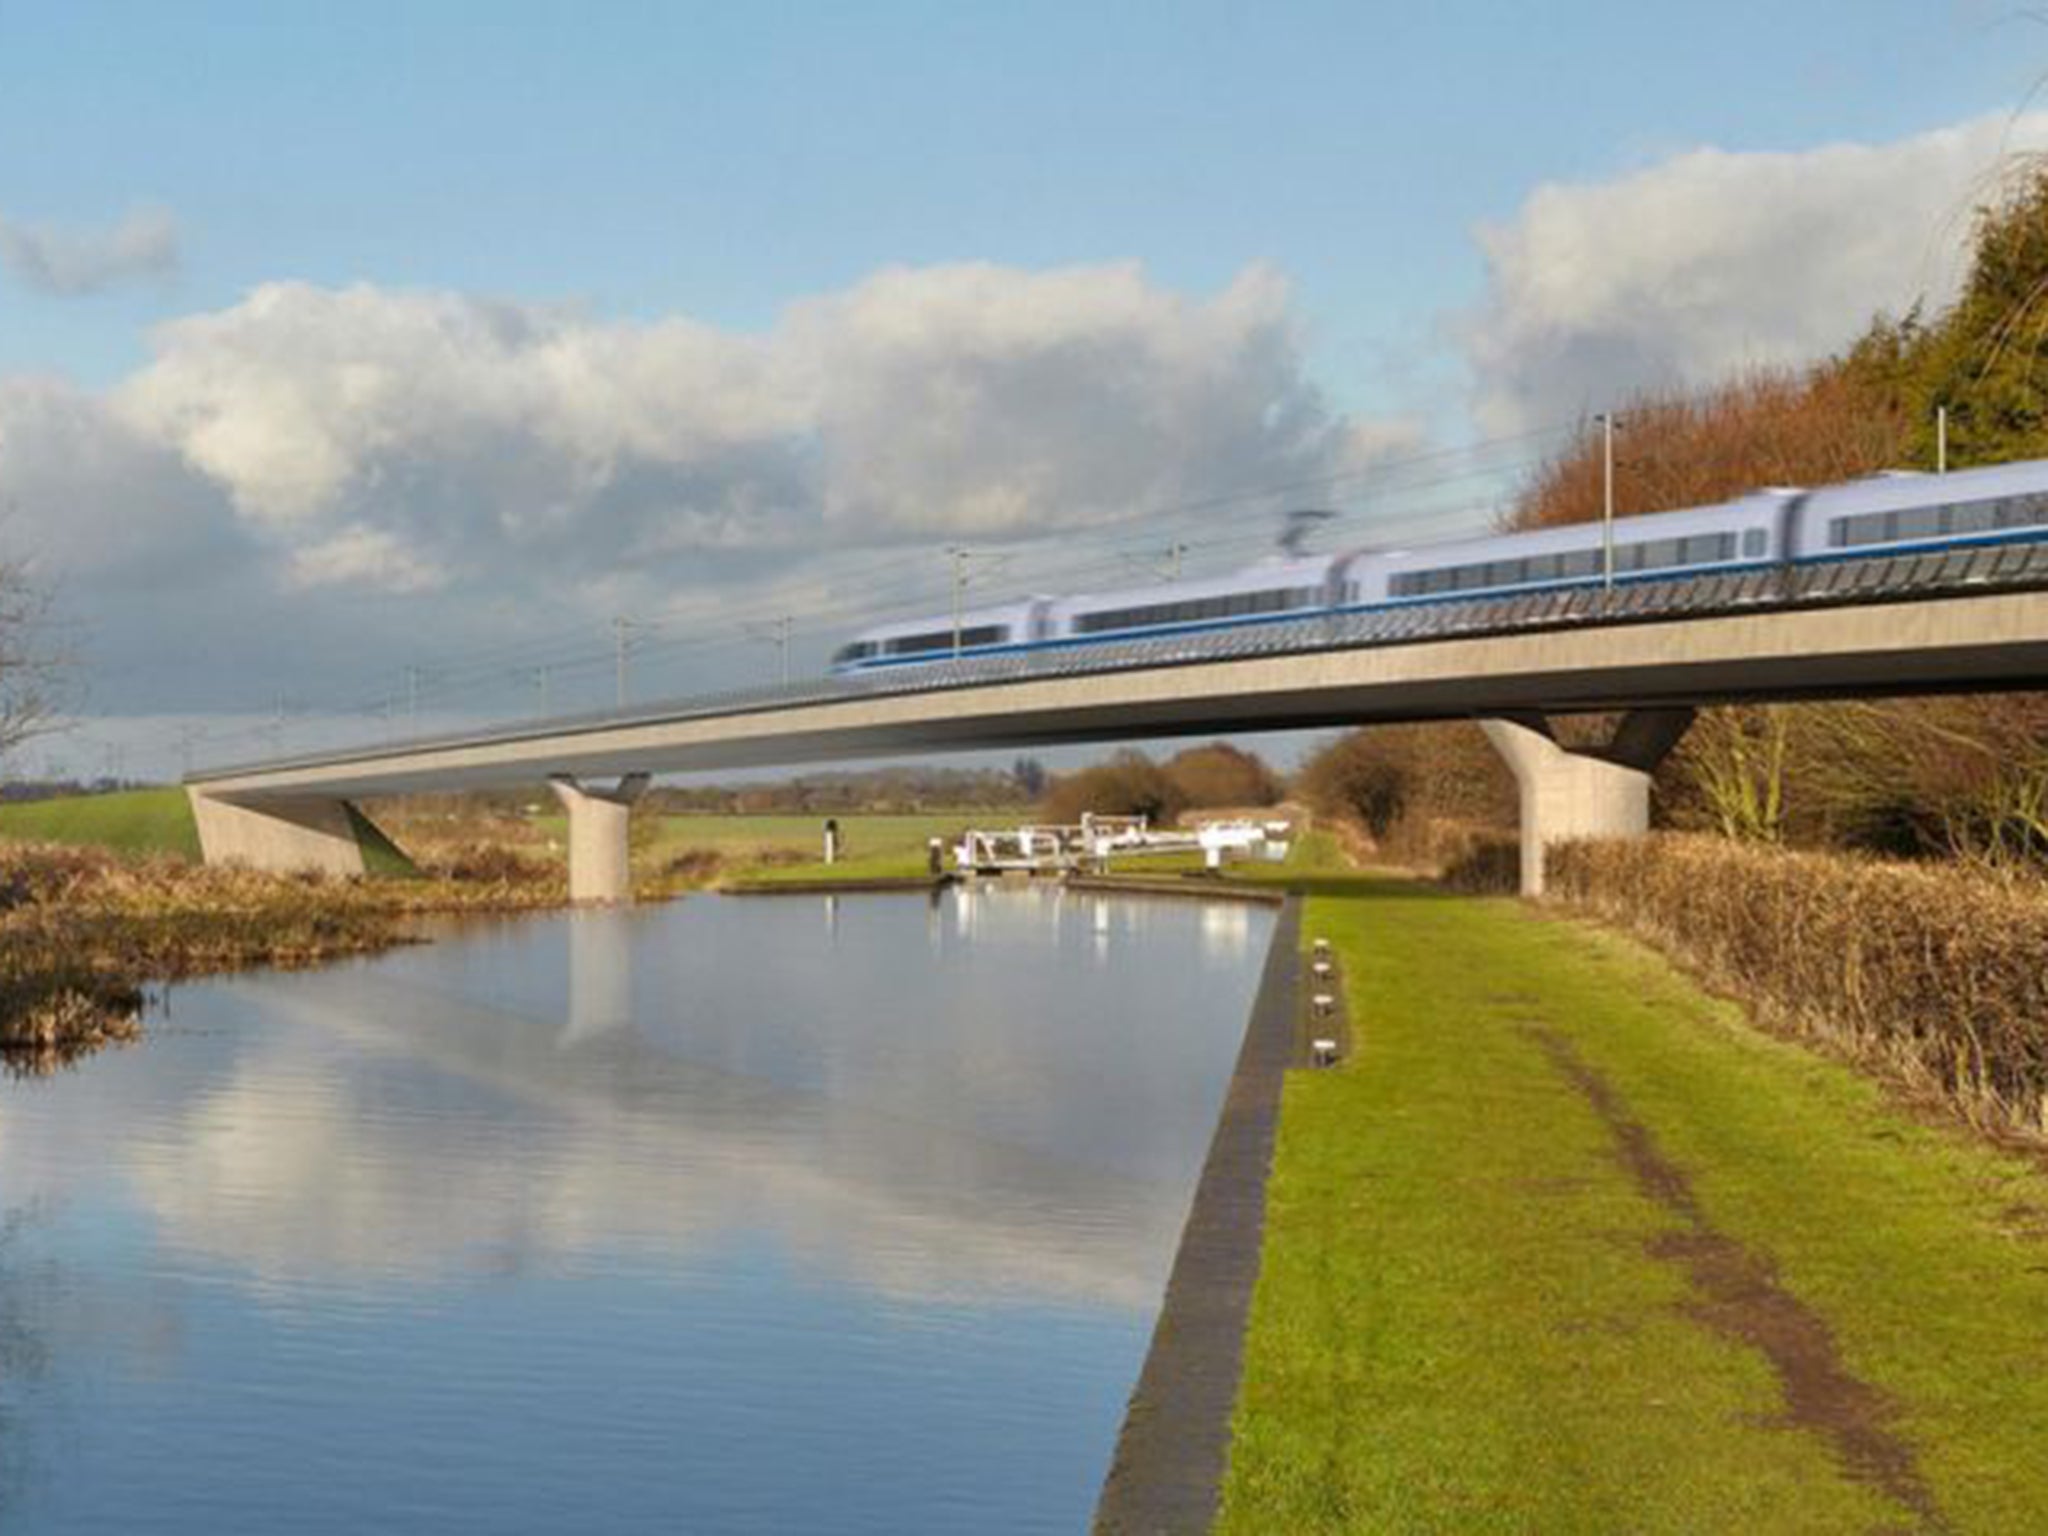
pixel 480 325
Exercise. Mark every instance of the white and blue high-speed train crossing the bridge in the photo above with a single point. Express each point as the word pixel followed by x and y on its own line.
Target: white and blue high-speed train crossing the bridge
pixel 1889 515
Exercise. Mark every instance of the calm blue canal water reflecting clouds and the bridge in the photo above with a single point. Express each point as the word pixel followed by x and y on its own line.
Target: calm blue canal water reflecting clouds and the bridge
pixel 730 1215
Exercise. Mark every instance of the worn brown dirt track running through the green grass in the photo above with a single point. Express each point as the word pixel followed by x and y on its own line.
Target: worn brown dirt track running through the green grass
pixel 1742 1299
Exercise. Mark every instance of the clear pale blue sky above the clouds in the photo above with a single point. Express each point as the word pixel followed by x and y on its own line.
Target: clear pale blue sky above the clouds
pixel 722 161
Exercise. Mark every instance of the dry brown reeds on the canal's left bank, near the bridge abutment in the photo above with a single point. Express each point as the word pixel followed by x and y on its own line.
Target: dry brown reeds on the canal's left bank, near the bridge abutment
pixel 83 931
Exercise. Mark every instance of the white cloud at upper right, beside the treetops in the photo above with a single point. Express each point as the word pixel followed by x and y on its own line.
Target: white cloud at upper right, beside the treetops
pixel 1711 263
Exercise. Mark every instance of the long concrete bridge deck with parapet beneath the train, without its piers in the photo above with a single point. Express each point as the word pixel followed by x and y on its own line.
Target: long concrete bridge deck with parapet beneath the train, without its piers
pixel 1877 626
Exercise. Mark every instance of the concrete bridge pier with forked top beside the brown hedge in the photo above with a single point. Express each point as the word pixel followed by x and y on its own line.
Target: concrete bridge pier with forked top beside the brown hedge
pixel 1582 792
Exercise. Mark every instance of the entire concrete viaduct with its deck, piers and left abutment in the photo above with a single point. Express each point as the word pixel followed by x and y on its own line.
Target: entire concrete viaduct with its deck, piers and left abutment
pixel 1504 665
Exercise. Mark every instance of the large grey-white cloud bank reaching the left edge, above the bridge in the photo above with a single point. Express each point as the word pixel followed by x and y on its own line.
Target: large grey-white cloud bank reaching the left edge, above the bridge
pixel 310 456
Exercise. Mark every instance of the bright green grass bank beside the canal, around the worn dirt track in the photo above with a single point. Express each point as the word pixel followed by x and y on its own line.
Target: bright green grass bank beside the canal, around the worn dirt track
pixel 1461 1326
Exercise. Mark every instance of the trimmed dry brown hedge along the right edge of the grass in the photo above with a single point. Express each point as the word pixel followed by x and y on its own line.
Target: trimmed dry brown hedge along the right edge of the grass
pixel 1932 974
